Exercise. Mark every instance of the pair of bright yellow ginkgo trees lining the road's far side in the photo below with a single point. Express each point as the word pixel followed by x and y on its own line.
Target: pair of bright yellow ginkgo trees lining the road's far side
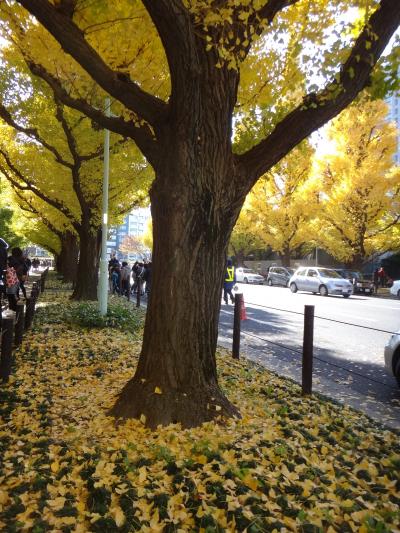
pixel 345 200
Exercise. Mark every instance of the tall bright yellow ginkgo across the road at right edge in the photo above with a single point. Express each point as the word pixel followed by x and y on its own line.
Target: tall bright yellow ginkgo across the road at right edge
pixel 359 184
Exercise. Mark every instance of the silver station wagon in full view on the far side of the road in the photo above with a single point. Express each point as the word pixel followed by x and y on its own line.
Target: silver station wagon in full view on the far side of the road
pixel 323 280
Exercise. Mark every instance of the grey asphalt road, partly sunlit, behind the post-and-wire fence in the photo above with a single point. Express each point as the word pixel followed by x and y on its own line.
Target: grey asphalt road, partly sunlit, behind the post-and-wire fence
pixel 348 360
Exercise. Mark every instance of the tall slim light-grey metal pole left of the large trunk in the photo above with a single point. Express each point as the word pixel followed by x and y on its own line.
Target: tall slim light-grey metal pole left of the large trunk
pixel 103 279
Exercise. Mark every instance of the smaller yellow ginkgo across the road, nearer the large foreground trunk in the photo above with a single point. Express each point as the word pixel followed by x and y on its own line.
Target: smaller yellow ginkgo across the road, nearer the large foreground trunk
pixel 283 202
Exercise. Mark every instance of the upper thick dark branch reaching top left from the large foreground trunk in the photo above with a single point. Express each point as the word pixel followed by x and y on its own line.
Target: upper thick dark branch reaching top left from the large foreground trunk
pixel 72 40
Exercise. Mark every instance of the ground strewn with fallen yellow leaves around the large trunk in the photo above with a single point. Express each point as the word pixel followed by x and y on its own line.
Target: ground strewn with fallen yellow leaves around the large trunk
pixel 290 464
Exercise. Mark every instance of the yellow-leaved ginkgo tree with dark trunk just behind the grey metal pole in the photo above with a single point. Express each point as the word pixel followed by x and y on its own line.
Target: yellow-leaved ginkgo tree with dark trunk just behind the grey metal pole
pixel 55 153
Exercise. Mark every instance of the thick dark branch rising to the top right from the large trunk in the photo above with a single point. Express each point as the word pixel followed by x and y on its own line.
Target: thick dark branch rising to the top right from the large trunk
pixel 317 109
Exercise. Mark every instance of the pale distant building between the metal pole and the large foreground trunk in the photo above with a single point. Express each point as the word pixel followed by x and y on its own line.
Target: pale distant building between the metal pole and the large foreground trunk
pixel 134 225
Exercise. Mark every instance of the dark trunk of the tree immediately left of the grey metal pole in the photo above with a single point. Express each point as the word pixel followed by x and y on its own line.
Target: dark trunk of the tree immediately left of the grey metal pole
pixel 88 265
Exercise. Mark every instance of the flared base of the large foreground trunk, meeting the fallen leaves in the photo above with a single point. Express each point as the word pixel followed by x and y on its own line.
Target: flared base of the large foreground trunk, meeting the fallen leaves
pixel 153 406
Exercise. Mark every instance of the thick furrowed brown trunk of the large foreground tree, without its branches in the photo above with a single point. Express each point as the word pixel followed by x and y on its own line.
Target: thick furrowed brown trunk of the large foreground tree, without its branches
pixel 176 378
